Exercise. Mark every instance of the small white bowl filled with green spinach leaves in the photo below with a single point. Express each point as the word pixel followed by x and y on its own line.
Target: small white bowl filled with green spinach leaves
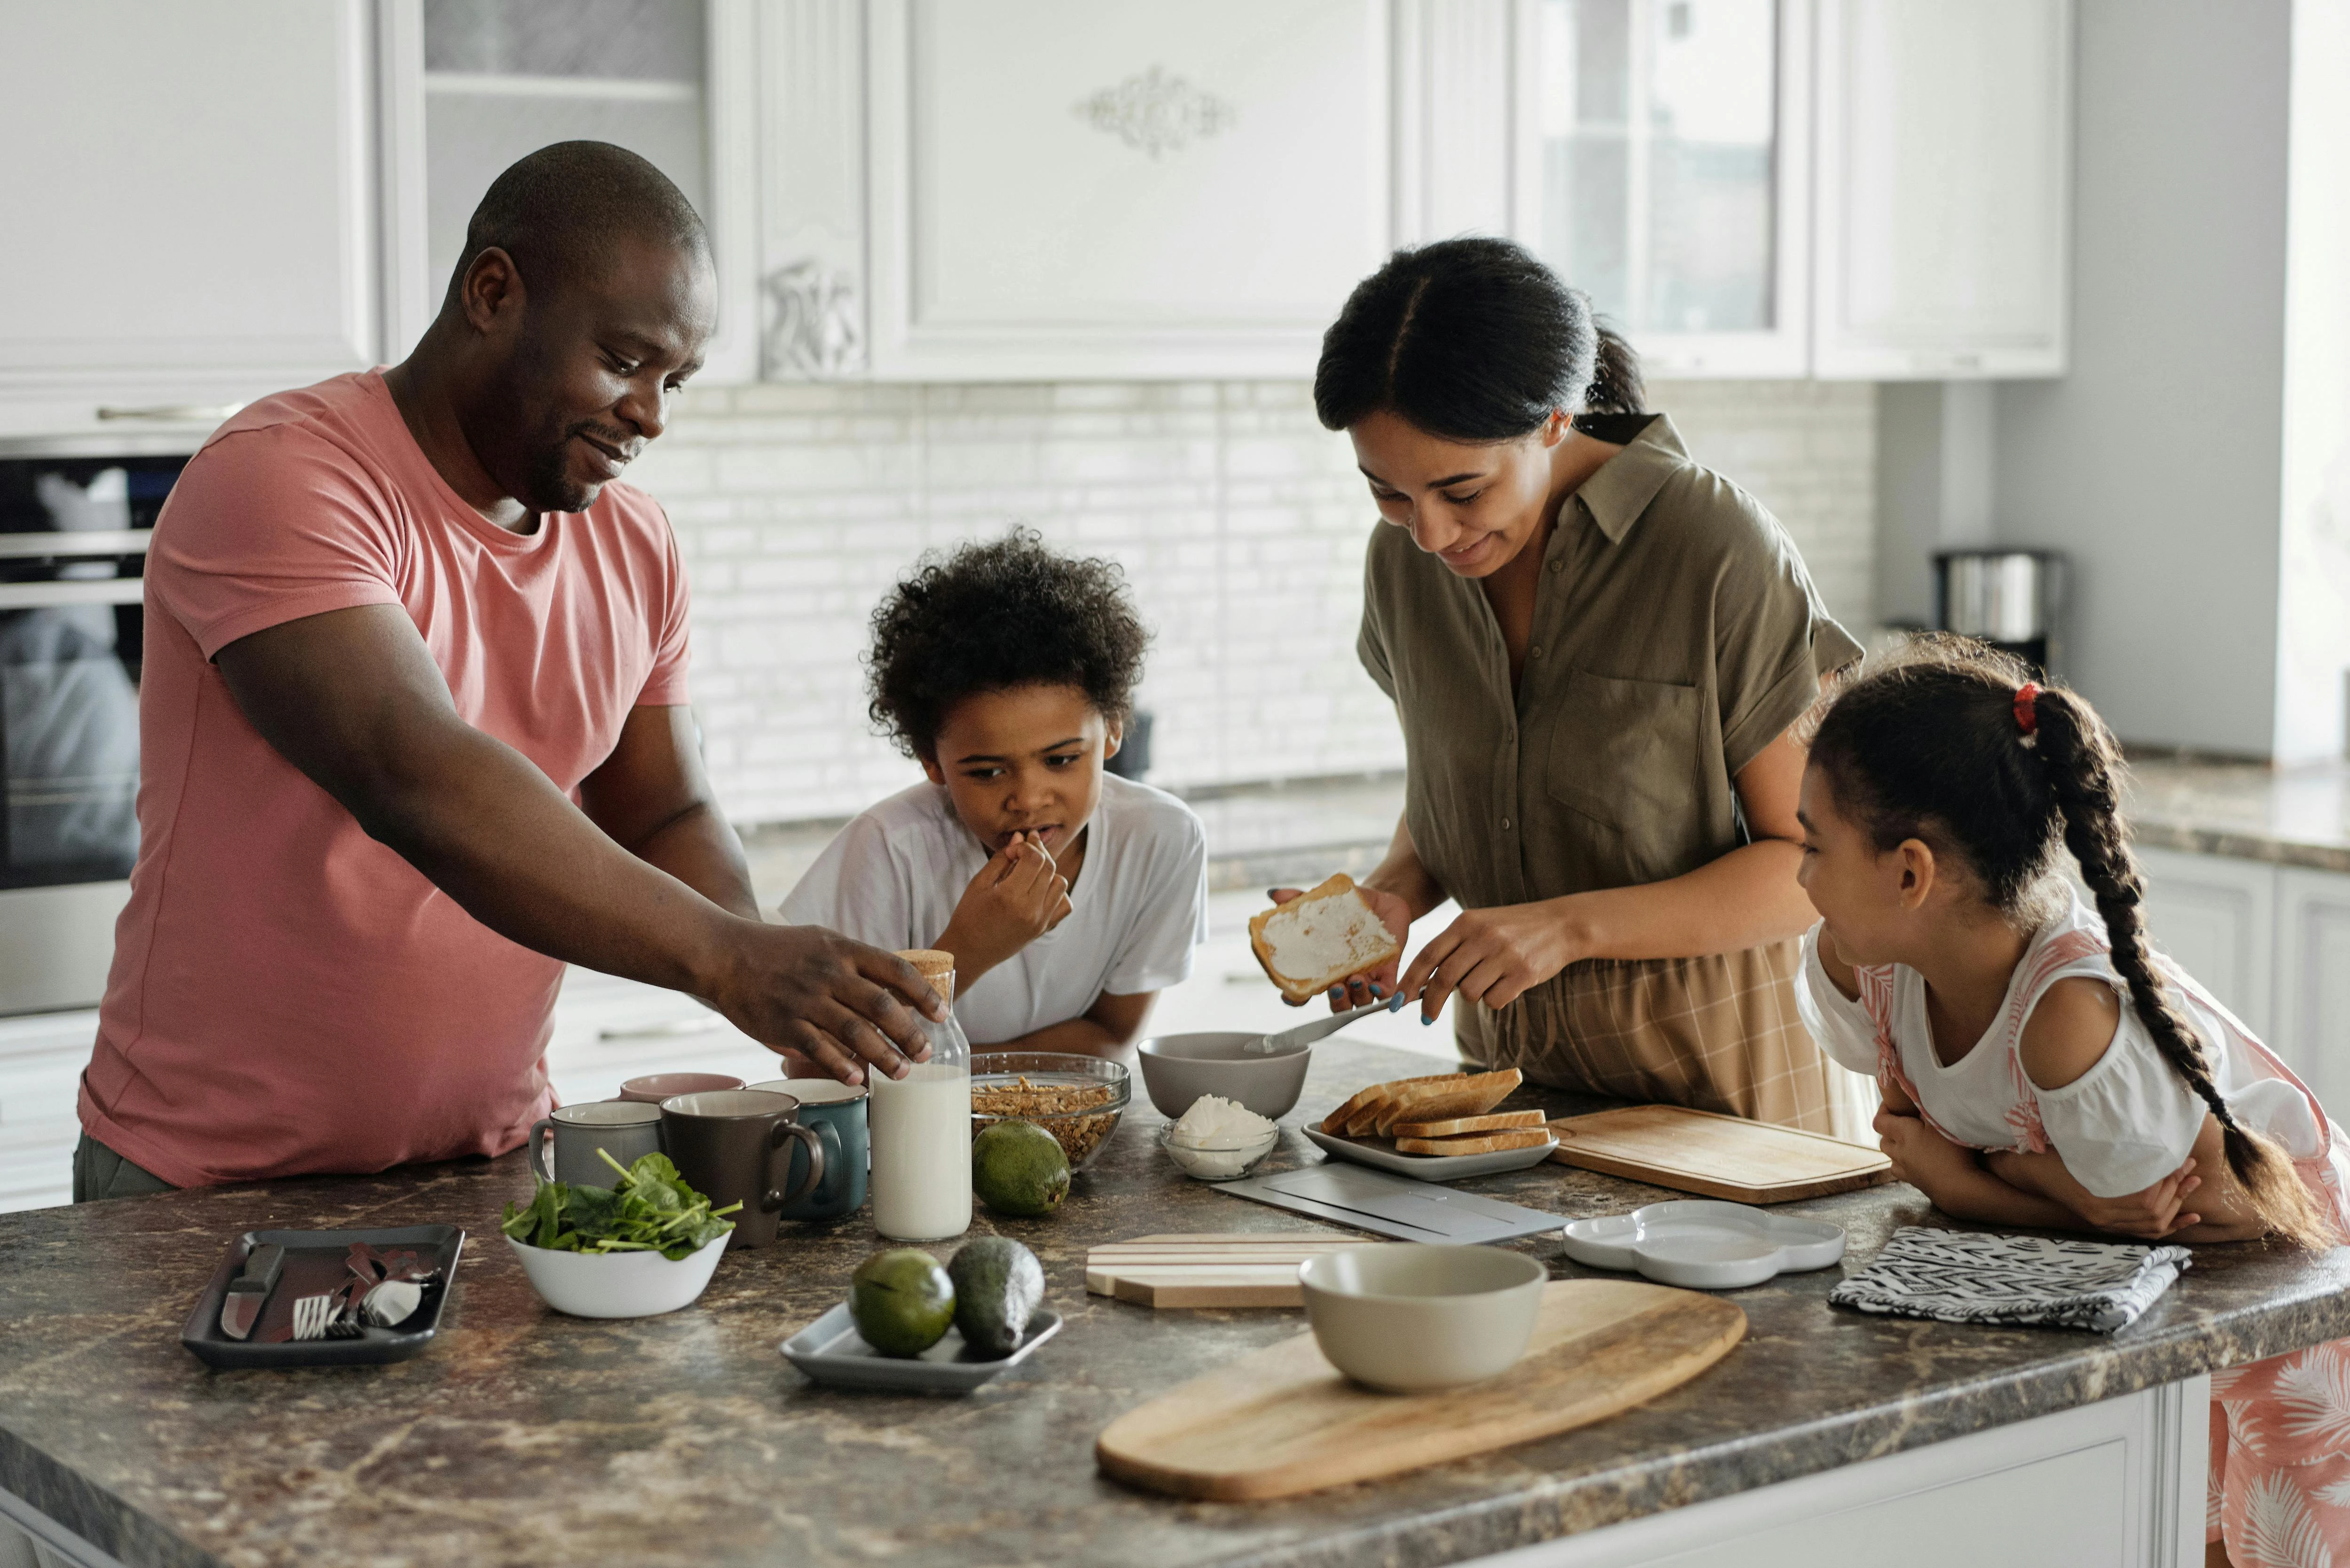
pixel 636 1249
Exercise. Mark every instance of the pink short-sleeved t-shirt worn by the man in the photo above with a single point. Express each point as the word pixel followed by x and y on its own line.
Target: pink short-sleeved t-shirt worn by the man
pixel 290 996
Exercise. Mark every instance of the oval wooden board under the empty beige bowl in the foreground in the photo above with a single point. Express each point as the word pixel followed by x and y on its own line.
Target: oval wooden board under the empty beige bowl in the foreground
pixel 1284 1421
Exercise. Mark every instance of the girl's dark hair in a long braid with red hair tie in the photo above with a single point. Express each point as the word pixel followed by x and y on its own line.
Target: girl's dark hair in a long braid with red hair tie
pixel 1931 746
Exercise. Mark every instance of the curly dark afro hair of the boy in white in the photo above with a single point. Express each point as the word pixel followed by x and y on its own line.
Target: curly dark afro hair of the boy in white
pixel 993 617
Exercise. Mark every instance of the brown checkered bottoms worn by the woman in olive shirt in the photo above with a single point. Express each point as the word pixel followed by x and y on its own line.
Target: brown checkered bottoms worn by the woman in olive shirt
pixel 1712 1033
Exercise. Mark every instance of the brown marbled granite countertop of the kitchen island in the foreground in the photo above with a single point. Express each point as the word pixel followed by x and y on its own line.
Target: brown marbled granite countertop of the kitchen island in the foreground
pixel 528 1438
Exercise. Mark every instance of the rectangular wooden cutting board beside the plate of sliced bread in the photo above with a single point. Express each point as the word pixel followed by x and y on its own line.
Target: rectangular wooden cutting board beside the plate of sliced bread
pixel 1721 1158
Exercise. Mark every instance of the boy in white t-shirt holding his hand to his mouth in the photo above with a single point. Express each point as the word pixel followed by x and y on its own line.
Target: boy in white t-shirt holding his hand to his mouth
pixel 1068 897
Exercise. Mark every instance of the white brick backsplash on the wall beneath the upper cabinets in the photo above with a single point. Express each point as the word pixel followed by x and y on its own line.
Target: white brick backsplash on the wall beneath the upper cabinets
pixel 1235 514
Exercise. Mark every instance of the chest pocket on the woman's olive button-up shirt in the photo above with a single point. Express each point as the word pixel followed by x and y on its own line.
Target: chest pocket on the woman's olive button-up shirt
pixel 1625 753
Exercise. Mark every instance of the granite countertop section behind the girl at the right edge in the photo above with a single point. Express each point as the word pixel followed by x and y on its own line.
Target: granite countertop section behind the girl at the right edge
pixel 2248 810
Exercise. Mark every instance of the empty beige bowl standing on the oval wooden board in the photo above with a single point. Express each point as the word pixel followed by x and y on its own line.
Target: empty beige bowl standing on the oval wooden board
pixel 1409 1318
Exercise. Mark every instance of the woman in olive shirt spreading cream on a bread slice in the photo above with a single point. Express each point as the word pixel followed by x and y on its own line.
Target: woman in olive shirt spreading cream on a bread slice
pixel 1597 650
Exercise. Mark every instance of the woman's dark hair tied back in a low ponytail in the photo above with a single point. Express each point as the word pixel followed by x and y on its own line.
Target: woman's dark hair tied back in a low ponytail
pixel 1475 342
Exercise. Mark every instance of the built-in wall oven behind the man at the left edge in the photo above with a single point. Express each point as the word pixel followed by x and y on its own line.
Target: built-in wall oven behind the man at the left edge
pixel 74 537
